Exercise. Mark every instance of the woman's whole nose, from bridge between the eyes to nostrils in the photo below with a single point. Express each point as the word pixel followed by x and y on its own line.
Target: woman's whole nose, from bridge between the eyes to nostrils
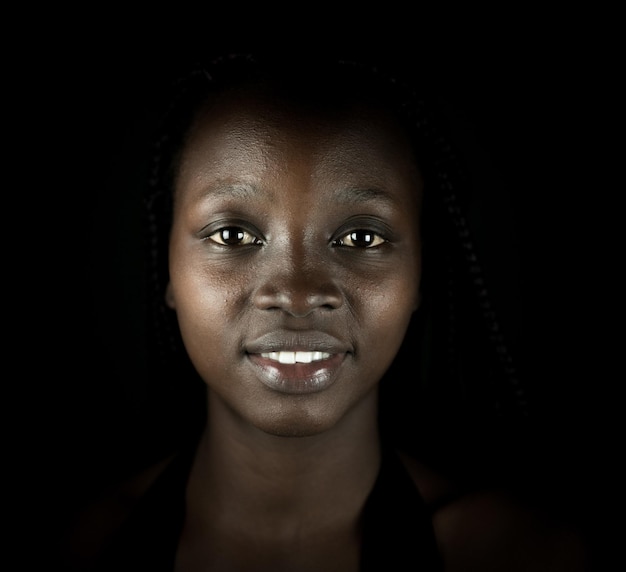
pixel 296 276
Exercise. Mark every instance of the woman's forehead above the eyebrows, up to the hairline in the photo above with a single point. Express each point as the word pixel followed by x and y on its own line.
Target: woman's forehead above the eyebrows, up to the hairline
pixel 259 130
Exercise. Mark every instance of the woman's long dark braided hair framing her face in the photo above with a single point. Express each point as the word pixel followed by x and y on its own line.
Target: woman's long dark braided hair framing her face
pixel 465 370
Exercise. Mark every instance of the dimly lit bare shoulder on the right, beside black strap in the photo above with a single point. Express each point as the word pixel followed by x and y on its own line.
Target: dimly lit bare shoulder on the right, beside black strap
pixel 492 530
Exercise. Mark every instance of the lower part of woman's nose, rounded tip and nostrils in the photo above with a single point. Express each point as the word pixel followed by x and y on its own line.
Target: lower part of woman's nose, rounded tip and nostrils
pixel 298 286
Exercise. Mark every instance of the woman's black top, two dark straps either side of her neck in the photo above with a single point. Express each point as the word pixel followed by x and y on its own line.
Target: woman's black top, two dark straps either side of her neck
pixel 397 525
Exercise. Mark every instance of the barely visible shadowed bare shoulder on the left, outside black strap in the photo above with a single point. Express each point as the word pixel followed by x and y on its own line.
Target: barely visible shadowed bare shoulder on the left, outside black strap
pixel 96 522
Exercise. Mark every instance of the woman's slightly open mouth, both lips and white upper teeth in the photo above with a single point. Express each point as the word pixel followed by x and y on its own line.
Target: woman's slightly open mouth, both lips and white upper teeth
pixel 297 363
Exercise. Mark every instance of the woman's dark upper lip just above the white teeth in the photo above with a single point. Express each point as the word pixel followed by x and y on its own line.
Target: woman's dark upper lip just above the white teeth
pixel 282 340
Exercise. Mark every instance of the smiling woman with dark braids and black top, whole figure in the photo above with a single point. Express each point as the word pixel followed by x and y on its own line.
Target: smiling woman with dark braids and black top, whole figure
pixel 315 288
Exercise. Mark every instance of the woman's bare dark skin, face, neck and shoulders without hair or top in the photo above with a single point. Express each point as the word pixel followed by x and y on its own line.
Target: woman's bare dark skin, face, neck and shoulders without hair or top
pixel 296 232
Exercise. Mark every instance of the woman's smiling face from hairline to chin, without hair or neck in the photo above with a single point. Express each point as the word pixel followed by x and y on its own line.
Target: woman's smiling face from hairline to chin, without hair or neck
pixel 294 259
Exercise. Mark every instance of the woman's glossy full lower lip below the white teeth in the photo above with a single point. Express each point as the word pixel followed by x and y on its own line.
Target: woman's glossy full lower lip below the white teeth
pixel 297 378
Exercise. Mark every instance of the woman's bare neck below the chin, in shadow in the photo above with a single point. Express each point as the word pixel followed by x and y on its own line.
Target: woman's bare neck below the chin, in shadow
pixel 242 471
